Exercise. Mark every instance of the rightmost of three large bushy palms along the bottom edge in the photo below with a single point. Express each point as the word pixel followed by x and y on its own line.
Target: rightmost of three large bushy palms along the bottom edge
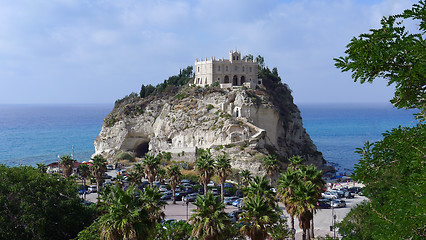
pixel 258 217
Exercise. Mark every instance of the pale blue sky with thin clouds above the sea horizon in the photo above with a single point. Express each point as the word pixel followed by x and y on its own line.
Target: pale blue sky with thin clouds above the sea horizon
pixel 97 51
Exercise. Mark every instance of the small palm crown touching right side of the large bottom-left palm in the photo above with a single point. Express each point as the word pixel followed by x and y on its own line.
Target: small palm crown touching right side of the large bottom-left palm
pixel 154 204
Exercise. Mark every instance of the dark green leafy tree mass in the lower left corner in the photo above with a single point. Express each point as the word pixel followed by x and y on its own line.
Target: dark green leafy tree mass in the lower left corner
pixel 35 205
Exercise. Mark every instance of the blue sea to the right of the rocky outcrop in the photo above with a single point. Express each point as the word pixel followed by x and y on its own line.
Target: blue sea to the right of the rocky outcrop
pixel 338 129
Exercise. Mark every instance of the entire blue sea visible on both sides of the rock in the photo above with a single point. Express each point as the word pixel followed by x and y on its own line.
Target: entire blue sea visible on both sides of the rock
pixel 31 134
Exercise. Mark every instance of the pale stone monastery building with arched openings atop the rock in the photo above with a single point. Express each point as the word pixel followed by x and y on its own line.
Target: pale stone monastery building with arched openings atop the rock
pixel 227 72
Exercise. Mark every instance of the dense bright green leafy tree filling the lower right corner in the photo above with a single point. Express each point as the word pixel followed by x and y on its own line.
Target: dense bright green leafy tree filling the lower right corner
pixel 393 172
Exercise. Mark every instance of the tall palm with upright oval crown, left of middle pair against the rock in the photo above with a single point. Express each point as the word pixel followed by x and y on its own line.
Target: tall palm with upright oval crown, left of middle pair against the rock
pixel 205 167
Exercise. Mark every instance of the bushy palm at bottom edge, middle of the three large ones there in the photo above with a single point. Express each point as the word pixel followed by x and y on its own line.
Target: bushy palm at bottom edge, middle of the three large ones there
pixel 210 222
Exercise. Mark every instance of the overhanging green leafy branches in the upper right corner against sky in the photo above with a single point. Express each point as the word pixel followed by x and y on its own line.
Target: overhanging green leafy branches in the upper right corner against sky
pixel 394 54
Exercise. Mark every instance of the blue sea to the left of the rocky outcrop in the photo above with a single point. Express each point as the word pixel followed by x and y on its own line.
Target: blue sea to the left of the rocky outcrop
pixel 31 134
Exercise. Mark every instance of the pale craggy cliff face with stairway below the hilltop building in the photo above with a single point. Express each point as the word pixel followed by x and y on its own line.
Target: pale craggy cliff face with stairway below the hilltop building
pixel 244 123
